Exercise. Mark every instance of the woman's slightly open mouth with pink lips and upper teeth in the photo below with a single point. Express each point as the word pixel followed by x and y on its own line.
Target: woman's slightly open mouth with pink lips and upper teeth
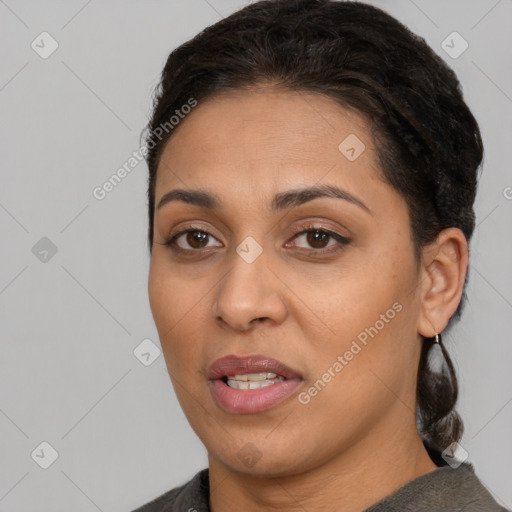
pixel 251 384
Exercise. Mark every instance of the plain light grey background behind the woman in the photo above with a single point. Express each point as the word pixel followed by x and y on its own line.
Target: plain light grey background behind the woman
pixel 71 322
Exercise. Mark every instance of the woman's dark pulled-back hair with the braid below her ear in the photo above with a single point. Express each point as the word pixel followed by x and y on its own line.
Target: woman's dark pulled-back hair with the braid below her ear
pixel 427 141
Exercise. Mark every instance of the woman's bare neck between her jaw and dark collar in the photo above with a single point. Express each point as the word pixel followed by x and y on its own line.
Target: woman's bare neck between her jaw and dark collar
pixel 358 478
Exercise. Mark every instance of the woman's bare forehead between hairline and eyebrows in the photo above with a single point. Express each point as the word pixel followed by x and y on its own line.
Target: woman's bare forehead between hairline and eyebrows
pixel 268 138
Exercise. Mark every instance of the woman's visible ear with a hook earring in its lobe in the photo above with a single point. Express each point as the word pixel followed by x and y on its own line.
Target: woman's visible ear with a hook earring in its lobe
pixel 443 272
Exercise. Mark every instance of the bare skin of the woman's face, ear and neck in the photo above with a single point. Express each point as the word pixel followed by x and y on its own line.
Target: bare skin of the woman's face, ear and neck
pixel 356 441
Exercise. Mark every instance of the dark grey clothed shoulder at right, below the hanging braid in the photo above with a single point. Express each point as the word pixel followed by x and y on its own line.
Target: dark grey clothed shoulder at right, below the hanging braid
pixel 444 489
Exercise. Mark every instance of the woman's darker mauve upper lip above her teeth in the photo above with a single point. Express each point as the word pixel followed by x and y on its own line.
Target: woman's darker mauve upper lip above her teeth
pixel 239 365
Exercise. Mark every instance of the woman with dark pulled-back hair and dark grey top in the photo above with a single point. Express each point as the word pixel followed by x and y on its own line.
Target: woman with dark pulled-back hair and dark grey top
pixel 313 168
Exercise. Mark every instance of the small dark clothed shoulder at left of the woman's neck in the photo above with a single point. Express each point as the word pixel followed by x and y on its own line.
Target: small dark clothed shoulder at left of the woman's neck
pixel 192 496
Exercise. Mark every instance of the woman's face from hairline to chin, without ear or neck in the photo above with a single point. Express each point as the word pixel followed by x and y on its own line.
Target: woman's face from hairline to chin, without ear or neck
pixel 338 306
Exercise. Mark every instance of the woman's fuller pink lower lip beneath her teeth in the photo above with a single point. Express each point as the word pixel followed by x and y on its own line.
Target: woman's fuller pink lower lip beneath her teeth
pixel 252 400
